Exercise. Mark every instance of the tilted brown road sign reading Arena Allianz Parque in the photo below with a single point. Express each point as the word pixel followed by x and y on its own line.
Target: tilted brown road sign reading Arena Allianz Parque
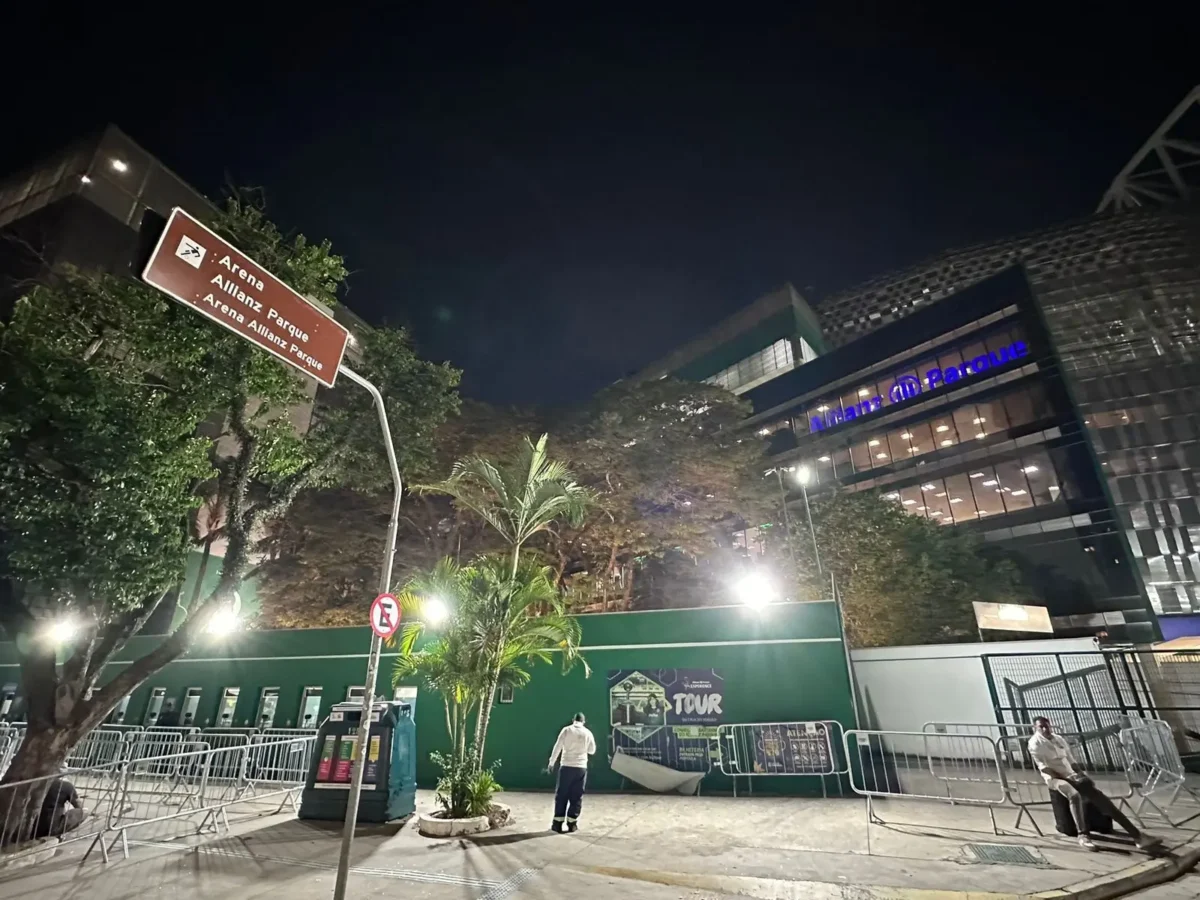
pixel 211 275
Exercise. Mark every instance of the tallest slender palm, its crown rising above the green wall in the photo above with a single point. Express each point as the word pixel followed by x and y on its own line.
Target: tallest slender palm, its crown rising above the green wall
pixel 519 501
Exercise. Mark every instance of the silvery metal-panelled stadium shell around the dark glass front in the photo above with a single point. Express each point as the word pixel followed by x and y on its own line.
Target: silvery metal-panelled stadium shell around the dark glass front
pixel 1120 302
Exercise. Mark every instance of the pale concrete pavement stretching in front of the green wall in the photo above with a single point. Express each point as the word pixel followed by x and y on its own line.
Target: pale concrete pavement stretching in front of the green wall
pixel 639 847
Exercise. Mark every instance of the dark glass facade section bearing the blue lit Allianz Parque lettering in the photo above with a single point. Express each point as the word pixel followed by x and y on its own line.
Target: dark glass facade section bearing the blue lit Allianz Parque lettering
pixel 963 415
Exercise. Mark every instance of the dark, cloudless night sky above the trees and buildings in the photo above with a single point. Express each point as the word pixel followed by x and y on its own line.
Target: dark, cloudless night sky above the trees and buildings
pixel 553 203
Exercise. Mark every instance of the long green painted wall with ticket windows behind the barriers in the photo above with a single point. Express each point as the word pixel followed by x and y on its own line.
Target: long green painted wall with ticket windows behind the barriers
pixel 782 663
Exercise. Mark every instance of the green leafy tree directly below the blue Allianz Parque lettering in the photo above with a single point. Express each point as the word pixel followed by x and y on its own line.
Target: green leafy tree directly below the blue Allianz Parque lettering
pixel 903 579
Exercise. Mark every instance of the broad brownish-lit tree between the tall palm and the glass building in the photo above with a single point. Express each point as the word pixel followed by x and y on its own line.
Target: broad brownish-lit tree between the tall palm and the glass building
pixel 675 475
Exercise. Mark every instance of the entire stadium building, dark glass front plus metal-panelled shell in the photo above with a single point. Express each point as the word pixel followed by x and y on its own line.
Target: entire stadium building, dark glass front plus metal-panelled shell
pixel 1085 454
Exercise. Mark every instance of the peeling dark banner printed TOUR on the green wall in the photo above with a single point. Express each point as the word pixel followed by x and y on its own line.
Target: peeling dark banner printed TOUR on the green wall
pixel 667 716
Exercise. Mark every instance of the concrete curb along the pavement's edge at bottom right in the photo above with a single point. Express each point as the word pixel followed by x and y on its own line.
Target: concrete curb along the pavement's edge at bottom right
pixel 1106 887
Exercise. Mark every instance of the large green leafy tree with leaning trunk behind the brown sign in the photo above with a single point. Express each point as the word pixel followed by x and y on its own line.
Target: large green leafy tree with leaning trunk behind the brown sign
pixel 105 386
